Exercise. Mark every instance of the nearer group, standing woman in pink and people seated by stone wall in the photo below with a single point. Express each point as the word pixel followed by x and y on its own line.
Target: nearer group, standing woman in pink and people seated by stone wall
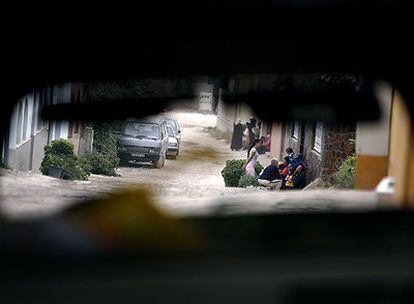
pixel 290 173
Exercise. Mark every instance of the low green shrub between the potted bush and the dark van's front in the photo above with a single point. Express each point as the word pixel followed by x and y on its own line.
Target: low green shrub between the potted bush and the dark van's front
pixel 100 163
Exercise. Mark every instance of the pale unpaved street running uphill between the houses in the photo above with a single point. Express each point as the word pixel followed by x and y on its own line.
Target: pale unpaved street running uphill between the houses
pixel 191 184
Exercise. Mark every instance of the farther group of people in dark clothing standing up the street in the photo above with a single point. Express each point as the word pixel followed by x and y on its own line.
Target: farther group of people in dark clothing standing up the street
pixel 244 136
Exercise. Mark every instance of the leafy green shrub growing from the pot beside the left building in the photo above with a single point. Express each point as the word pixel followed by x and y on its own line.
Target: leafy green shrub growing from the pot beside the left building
pixel 60 154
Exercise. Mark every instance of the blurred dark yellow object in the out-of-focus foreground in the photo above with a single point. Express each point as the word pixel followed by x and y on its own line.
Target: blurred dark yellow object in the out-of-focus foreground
pixel 131 220
